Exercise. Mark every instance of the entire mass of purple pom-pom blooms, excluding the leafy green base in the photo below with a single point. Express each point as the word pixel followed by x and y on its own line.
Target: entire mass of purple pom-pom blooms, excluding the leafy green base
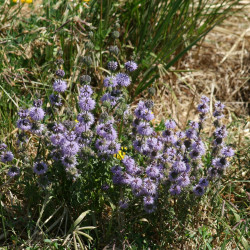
pixel 170 160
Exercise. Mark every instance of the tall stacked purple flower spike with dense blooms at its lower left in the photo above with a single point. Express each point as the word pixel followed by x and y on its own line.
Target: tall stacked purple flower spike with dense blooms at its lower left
pixel 69 142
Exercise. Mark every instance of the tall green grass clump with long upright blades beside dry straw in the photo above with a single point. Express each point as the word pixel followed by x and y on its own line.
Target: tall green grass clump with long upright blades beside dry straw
pixel 161 31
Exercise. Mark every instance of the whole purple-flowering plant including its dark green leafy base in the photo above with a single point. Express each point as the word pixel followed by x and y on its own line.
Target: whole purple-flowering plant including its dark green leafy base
pixel 100 144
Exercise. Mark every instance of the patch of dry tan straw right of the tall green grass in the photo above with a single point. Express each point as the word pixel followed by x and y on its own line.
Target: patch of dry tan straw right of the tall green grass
pixel 218 68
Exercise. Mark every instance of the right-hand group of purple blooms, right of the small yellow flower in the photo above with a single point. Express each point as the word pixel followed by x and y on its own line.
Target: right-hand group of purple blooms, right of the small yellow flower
pixel 175 155
